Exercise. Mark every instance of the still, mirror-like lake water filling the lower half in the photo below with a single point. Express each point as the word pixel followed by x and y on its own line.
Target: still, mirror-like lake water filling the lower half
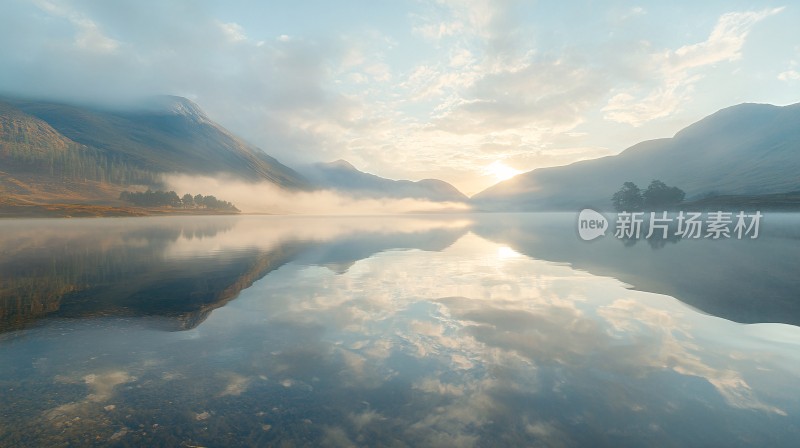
pixel 474 330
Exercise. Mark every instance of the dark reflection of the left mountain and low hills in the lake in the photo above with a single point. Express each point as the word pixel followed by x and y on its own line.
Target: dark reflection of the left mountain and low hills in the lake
pixel 158 267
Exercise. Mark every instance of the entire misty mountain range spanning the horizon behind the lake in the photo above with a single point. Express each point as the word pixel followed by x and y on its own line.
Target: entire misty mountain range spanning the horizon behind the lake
pixel 49 147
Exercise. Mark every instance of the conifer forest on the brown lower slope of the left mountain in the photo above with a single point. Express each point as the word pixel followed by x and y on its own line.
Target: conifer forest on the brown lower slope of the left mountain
pixel 76 162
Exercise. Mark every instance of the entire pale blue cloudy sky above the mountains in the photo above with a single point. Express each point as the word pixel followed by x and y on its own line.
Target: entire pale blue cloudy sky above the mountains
pixel 470 92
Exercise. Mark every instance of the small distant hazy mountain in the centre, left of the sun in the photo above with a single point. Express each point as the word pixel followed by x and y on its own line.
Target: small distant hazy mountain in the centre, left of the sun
pixel 344 177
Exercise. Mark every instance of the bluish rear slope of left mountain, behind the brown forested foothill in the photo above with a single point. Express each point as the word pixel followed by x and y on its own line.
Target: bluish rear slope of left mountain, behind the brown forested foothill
pixel 161 135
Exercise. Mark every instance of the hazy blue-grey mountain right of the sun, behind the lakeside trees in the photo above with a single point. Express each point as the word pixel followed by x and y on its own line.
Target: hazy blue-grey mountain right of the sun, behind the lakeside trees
pixel 749 149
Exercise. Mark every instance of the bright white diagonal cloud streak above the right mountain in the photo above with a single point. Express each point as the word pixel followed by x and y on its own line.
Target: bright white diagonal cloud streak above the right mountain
pixel 676 71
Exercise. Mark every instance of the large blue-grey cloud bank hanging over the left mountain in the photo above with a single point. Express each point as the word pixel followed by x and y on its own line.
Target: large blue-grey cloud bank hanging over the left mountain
pixel 278 93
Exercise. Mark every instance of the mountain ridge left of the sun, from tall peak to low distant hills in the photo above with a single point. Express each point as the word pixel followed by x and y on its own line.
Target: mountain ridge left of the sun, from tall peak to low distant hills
pixel 53 152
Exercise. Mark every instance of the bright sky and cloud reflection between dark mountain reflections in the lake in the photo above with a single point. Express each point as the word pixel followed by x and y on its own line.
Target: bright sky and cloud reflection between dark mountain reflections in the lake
pixel 462 344
